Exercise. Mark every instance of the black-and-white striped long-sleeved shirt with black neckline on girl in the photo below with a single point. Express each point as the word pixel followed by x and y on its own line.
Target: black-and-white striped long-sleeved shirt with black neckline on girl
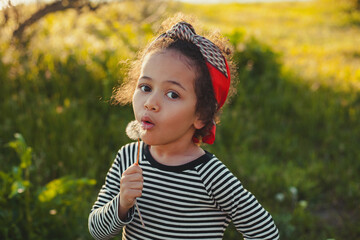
pixel 192 201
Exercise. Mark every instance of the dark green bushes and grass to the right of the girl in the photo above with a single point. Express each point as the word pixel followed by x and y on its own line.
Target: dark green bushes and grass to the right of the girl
pixel 291 146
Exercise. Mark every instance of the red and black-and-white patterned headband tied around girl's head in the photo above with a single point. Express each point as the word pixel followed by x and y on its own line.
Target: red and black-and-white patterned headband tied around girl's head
pixel 215 62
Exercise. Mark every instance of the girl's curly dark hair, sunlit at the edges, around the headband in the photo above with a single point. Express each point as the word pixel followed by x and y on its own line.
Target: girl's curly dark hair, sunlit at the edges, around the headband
pixel 206 105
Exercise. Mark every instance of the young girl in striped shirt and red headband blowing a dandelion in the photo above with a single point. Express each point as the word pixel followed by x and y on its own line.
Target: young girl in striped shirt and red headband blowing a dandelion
pixel 181 190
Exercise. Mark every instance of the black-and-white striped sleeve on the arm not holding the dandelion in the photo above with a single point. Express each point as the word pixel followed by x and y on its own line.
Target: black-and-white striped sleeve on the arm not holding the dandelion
pixel 246 213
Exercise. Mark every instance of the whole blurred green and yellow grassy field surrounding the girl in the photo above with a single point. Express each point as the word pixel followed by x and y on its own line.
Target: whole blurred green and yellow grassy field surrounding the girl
pixel 291 134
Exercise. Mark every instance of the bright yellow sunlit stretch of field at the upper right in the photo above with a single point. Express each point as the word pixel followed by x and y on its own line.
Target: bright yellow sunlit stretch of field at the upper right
pixel 316 40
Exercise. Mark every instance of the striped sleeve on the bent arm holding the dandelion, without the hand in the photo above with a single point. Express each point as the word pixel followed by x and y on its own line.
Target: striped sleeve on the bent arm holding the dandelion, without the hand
pixel 104 221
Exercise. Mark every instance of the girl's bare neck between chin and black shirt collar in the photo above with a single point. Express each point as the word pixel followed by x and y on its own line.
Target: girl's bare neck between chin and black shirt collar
pixel 175 155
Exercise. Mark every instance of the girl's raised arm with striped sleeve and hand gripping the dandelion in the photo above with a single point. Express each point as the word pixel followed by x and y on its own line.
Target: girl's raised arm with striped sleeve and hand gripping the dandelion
pixel 106 219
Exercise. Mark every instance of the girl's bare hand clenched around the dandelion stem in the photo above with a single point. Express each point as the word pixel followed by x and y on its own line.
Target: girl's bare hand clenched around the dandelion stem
pixel 131 185
